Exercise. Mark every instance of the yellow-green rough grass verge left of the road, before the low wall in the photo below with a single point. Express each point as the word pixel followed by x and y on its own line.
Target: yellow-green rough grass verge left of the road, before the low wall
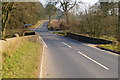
pixel 21 58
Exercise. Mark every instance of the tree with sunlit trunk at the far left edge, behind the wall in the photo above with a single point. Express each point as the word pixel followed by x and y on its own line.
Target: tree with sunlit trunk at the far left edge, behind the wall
pixel 7 7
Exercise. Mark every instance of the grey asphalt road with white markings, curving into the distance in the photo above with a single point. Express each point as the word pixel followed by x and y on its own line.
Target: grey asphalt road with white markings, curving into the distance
pixel 68 58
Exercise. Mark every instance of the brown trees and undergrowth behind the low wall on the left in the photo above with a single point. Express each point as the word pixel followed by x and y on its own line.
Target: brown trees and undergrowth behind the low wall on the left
pixel 16 15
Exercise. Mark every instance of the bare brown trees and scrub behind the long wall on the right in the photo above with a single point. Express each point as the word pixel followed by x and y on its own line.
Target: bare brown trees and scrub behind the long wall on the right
pixel 100 20
